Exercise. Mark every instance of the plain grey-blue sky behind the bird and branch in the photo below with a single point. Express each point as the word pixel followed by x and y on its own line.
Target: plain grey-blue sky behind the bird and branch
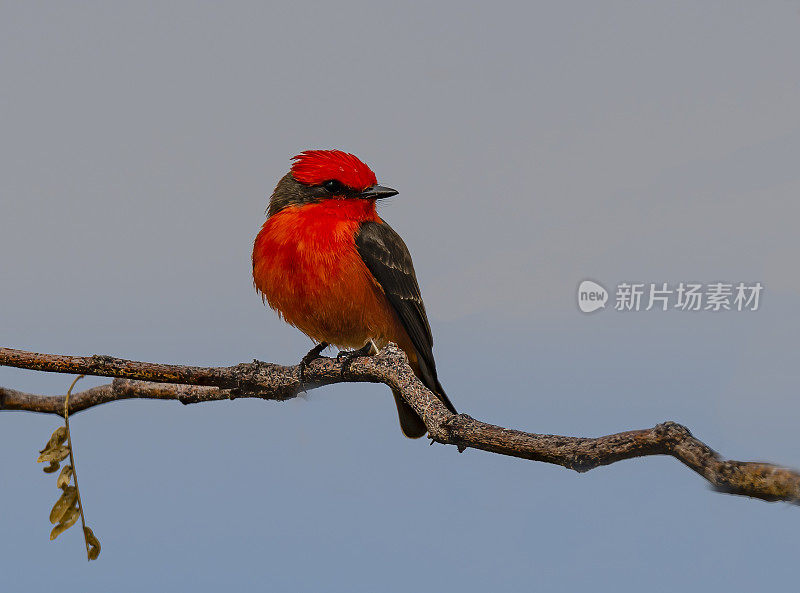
pixel 534 145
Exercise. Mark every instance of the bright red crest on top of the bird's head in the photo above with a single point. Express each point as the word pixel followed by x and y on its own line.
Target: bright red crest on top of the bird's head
pixel 317 166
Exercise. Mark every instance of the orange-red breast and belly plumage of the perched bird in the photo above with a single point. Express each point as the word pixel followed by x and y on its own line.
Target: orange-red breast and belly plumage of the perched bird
pixel 307 268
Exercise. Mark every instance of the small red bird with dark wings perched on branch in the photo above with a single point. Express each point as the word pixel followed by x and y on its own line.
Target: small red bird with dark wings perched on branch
pixel 332 268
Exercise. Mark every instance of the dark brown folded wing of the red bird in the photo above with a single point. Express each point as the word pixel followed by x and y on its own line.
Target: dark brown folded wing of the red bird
pixel 387 257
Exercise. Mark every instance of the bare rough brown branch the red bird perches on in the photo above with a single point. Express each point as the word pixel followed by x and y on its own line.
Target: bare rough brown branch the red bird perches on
pixel 189 384
